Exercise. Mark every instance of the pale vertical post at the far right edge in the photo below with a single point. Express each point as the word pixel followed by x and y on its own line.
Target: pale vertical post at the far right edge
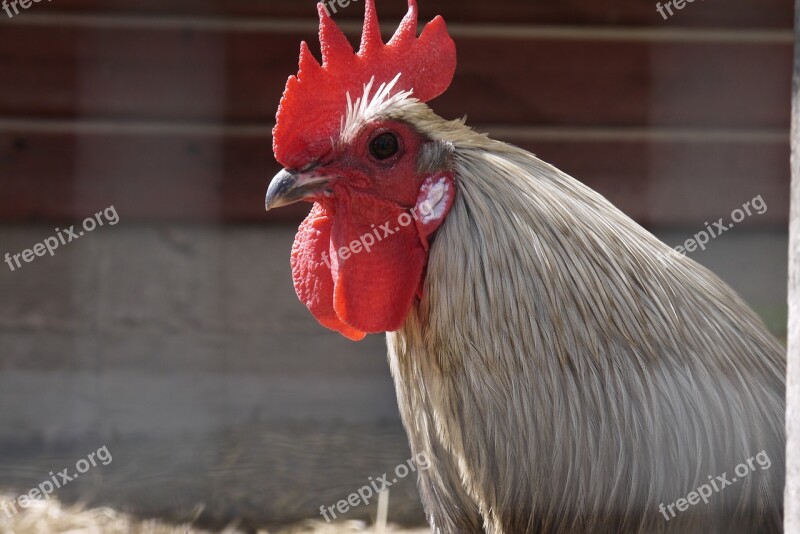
pixel 792 495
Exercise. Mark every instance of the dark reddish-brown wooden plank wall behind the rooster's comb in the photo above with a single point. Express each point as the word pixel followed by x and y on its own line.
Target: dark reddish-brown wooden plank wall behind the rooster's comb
pixel 164 108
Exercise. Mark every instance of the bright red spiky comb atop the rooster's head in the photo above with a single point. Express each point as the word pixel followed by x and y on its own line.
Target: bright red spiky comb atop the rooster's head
pixel 314 100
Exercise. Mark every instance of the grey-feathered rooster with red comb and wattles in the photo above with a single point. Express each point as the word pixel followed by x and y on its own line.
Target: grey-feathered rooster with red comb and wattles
pixel 561 368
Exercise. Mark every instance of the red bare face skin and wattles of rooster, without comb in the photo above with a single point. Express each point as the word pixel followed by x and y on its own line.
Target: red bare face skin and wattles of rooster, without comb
pixel 359 257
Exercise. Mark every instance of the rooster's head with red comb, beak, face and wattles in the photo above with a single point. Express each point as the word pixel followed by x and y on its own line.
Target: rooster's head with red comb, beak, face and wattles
pixel 347 146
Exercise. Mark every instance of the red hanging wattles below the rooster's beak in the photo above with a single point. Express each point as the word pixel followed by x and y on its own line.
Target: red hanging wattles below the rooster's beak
pixel 358 276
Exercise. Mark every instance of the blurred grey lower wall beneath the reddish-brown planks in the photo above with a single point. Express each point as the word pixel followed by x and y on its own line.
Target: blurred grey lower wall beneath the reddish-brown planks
pixel 185 351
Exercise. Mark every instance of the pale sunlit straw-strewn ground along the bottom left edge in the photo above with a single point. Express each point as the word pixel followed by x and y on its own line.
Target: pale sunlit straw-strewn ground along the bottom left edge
pixel 47 517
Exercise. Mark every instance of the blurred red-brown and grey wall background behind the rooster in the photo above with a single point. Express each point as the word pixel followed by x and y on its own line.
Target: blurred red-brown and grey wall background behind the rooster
pixel 174 337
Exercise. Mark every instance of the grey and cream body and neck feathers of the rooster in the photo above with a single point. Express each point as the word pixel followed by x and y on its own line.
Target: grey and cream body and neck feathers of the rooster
pixel 565 372
